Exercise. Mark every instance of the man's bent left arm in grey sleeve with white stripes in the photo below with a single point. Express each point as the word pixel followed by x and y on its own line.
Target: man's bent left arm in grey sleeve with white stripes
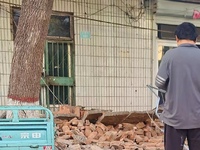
pixel 162 76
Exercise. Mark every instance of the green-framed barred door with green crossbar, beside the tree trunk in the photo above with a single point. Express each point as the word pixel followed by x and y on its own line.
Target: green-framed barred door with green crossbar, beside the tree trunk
pixel 58 77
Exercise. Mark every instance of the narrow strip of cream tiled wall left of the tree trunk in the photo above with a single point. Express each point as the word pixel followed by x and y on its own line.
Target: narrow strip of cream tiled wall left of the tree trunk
pixel 6 48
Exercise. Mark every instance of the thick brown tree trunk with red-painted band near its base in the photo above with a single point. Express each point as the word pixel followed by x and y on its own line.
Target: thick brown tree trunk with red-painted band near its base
pixel 26 68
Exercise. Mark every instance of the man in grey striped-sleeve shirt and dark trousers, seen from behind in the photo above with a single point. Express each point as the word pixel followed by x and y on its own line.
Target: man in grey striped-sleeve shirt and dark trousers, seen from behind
pixel 179 75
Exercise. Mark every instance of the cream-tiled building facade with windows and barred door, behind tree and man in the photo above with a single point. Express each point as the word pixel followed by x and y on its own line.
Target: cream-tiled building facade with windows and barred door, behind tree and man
pixel 98 53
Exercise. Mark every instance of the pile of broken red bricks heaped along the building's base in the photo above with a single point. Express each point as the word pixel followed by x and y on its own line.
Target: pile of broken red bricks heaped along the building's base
pixel 84 132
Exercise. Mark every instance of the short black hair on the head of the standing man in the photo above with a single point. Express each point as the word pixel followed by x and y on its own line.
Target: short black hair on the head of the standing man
pixel 186 31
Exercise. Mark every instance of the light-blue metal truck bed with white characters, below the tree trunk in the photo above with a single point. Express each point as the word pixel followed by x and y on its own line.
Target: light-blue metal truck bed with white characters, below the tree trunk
pixel 27 133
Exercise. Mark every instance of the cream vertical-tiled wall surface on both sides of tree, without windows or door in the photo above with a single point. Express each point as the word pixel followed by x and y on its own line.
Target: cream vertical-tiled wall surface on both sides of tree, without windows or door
pixel 112 67
